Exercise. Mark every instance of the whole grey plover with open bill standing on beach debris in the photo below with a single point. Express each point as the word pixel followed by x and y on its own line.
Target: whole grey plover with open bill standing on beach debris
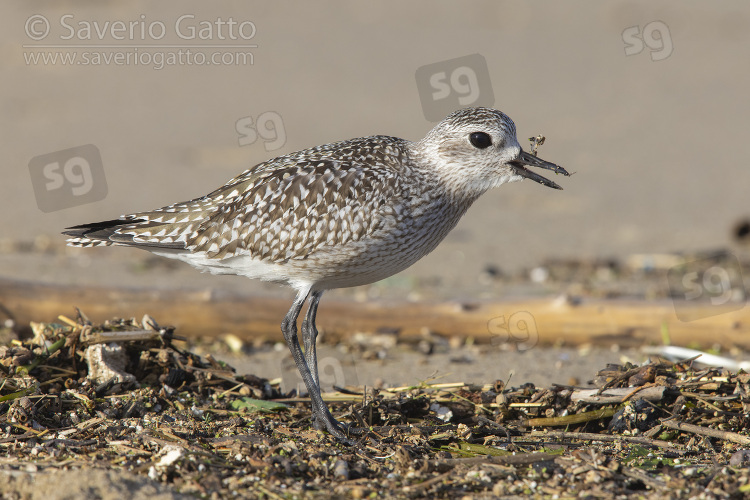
pixel 338 215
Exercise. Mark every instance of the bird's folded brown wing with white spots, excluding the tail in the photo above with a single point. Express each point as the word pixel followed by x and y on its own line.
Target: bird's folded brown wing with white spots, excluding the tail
pixel 302 204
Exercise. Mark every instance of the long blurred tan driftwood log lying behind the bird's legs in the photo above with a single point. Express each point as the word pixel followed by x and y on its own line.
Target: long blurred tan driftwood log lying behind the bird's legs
pixel 525 322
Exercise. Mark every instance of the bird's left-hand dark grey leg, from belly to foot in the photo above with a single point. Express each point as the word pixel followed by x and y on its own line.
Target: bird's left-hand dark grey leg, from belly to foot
pixel 320 411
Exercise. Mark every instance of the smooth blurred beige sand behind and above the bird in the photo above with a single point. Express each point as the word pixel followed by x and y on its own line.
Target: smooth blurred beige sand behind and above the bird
pixel 658 139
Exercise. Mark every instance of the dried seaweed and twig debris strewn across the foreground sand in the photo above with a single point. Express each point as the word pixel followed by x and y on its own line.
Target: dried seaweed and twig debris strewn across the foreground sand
pixel 194 424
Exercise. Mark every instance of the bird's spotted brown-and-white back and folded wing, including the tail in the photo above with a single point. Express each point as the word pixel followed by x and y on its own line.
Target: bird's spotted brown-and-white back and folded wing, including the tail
pixel 278 210
